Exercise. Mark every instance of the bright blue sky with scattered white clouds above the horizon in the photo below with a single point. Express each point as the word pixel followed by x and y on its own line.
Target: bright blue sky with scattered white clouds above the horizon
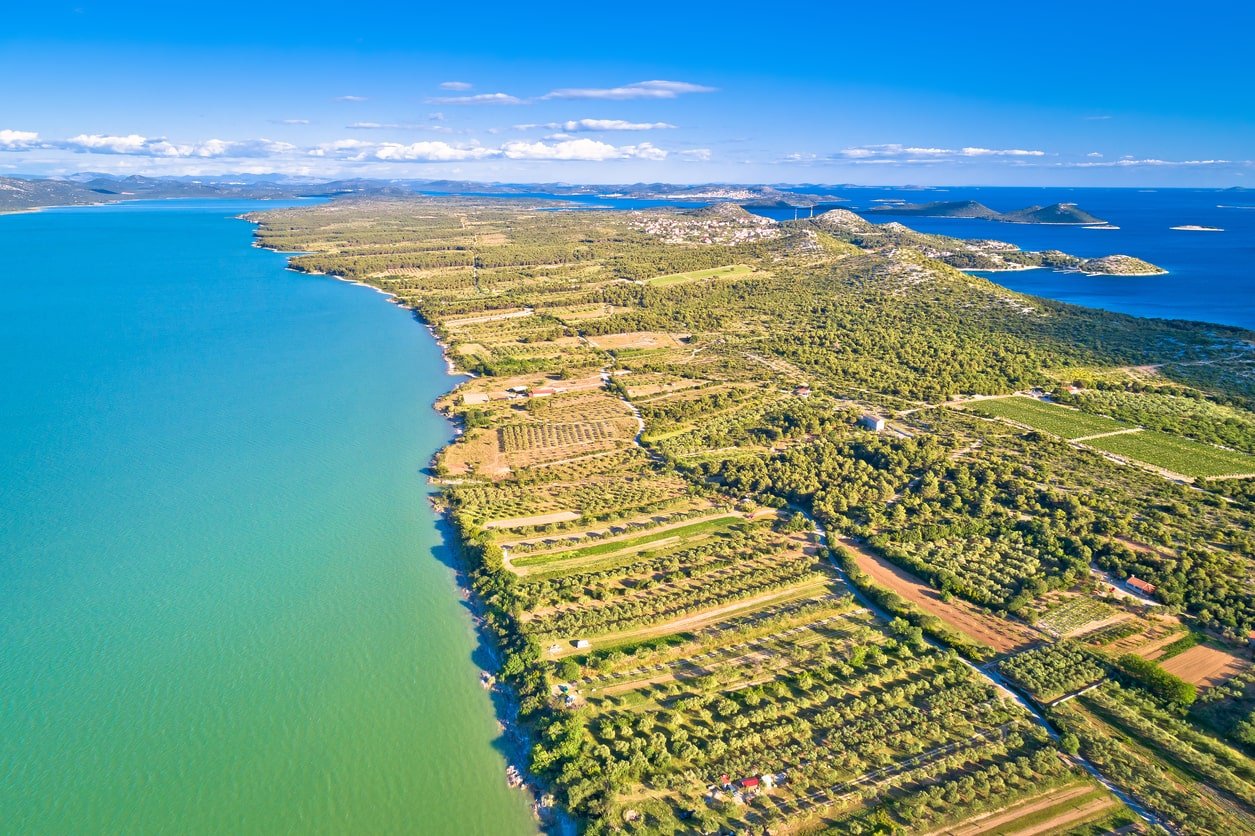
pixel 981 94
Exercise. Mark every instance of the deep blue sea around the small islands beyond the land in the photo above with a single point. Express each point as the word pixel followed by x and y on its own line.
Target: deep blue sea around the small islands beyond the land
pixel 1212 276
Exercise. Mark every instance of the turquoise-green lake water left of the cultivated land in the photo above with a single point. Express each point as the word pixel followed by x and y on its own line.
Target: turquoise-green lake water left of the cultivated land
pixel 225 606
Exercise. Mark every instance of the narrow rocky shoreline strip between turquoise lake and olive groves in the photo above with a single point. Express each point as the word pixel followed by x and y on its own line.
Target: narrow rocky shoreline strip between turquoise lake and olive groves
pixel 503 697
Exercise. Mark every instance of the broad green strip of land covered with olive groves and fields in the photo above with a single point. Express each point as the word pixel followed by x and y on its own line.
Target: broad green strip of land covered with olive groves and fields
pixel 798 528
